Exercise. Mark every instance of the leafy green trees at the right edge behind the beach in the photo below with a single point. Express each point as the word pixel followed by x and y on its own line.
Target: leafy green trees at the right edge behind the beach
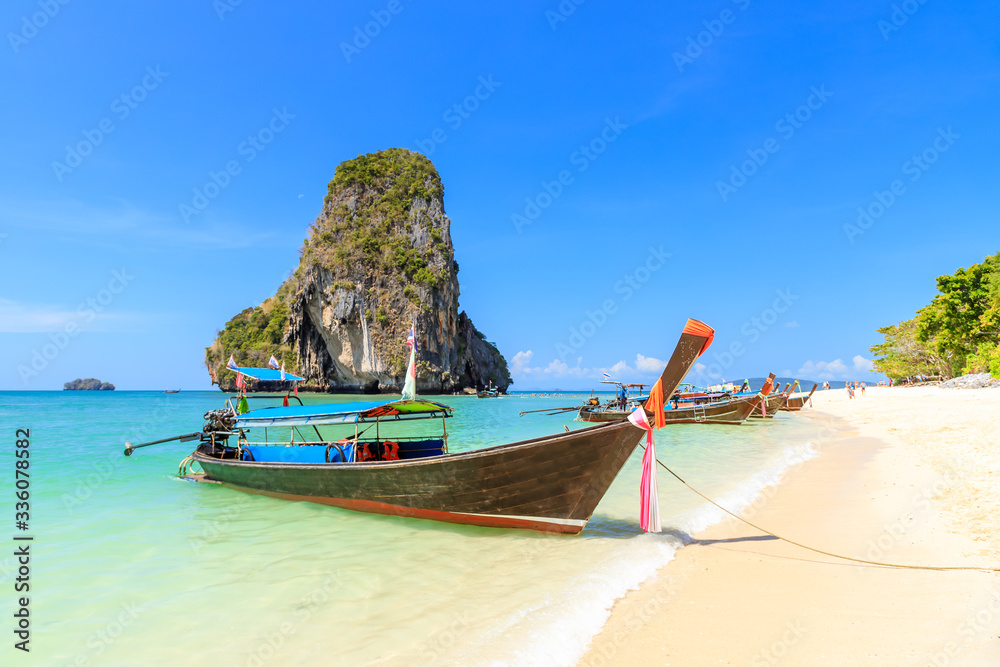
pixel 957 333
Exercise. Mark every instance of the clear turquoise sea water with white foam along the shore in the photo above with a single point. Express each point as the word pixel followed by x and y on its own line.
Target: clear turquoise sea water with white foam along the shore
pixel 131 565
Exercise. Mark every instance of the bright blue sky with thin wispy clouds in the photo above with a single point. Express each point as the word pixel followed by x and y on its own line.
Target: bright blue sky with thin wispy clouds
pixel 715 156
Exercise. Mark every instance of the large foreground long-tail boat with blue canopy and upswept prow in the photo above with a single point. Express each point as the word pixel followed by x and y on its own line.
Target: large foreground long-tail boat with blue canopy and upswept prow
pixel 550 484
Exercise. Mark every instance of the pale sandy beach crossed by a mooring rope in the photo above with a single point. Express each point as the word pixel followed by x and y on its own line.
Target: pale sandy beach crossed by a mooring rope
pixel 904 475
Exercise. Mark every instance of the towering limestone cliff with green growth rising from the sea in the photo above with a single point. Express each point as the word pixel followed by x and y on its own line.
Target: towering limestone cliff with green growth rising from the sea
pixel 378 260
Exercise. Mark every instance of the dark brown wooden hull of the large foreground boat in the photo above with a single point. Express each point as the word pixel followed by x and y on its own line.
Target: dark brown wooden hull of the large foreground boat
pixel 550 484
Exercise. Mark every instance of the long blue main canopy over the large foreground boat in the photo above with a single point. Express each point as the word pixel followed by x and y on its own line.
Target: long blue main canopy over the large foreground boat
pixel 341 413
